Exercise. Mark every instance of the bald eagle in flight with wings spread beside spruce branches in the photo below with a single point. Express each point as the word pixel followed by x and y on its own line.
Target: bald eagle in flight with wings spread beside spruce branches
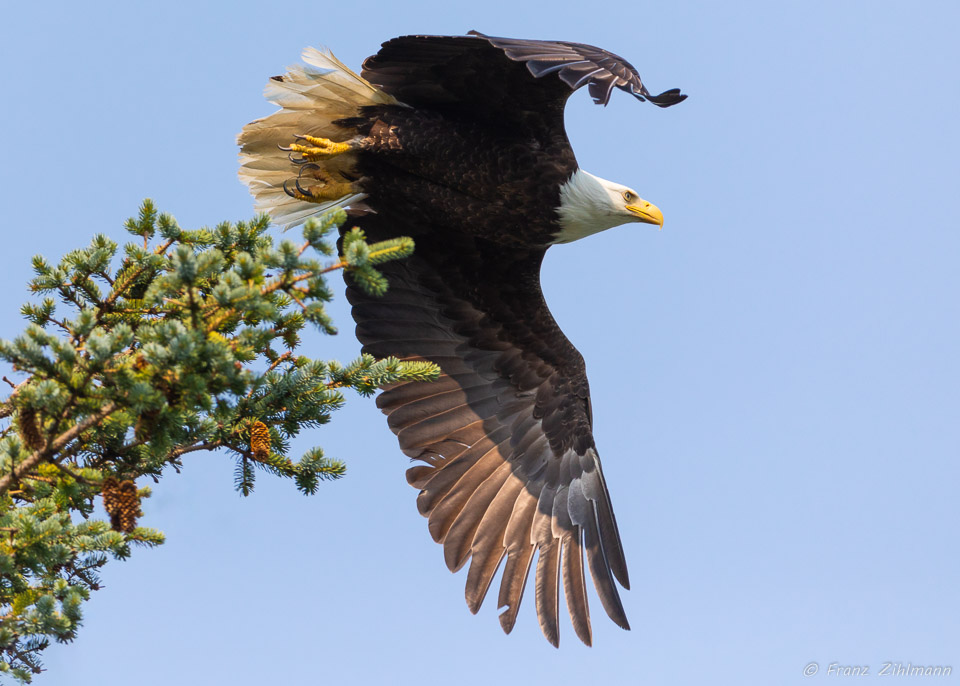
pixel 459 142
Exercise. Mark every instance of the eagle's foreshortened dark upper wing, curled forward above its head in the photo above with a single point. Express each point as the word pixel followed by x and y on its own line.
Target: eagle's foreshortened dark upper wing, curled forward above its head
pixel 492 76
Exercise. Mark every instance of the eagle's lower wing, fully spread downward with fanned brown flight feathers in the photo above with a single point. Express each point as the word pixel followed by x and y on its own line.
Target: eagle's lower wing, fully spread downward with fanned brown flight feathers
pixel 511 465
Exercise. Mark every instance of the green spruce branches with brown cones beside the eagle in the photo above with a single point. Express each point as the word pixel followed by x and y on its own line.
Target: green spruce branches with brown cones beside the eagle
pixel 181 341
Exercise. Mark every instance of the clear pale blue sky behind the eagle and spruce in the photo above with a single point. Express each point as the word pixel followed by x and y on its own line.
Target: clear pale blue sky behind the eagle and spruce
pixel 775 375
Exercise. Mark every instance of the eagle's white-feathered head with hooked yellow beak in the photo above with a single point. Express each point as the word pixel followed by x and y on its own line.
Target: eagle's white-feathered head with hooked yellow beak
pixel 589 204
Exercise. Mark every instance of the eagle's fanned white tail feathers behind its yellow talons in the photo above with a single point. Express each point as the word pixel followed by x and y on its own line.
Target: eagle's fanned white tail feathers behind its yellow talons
pixel 311 96
